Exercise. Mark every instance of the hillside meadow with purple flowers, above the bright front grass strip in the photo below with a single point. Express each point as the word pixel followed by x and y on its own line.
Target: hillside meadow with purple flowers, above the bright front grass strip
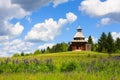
pixel 64 63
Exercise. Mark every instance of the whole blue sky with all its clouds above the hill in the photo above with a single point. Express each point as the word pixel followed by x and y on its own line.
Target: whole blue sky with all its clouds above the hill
pixel 35 24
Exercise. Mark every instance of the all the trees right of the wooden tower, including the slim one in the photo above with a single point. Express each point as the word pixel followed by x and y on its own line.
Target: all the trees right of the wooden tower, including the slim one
pixel 105 44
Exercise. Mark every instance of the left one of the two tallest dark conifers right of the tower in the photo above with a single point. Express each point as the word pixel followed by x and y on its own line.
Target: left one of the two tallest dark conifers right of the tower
pixel 102 43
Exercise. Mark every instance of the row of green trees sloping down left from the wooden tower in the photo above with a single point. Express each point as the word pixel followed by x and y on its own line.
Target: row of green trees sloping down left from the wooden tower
pixel 59 47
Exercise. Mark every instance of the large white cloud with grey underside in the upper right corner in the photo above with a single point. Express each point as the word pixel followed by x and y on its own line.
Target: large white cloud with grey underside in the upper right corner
pixel 98 8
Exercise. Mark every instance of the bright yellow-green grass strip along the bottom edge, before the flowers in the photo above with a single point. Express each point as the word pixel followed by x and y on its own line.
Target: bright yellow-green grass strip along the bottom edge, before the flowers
pixel 58 76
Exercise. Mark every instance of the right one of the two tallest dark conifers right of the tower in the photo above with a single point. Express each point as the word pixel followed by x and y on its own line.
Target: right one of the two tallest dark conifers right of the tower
pixel 110 44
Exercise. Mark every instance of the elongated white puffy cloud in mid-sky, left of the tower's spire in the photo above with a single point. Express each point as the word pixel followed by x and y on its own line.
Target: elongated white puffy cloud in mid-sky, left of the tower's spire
pixel 49 29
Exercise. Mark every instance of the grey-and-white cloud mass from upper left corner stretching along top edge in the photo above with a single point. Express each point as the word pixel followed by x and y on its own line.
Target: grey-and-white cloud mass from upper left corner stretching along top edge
pixel 18 9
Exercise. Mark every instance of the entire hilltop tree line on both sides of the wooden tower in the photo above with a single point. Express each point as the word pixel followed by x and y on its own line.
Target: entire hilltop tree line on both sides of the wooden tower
pixel 105 44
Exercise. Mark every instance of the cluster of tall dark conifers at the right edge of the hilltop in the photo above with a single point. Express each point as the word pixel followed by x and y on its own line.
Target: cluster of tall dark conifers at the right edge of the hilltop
pixel 107 44
